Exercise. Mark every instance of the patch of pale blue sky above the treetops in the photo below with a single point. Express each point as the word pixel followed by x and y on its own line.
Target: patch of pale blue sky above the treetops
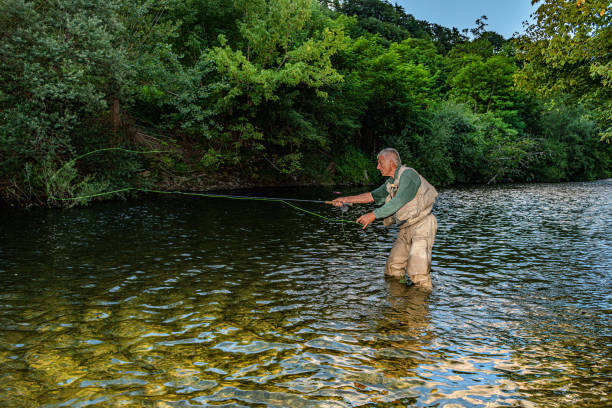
pixel 504 16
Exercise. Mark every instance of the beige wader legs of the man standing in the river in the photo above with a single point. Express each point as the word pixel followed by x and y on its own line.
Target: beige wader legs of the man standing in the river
pixel 411 252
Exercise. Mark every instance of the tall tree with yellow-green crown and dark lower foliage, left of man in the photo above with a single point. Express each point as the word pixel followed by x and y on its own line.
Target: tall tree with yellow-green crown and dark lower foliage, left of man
pixel 285 52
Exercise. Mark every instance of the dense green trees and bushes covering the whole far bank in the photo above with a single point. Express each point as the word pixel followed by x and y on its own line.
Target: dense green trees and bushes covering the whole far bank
pixel 292 91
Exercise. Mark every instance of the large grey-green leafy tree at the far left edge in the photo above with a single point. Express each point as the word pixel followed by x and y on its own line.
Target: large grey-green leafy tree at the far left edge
pixel 62 64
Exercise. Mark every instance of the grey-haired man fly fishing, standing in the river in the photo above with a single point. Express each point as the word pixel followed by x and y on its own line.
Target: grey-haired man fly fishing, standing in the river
pixel 405 199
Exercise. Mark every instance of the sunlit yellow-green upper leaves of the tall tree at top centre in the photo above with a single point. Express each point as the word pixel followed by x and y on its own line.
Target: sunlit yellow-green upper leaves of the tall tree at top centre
pixel 278 52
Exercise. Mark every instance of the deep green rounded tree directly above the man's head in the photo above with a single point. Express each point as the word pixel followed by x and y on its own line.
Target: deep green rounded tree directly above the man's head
pixel 396 86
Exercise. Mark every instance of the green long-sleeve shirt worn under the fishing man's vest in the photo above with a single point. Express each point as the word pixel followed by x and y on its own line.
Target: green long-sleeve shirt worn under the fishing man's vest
pixel 408 186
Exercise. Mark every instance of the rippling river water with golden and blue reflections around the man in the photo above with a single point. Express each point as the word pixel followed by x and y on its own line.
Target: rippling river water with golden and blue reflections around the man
pixel 189 302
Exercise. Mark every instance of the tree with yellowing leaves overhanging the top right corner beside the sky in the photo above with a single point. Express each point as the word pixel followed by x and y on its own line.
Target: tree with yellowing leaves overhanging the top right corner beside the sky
pixel 568 50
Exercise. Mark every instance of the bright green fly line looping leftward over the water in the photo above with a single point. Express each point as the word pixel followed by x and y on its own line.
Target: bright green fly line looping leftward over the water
pixel 148 190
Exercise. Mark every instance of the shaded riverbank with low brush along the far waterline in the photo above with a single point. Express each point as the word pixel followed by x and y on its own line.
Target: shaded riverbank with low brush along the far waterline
pixel 147 163
